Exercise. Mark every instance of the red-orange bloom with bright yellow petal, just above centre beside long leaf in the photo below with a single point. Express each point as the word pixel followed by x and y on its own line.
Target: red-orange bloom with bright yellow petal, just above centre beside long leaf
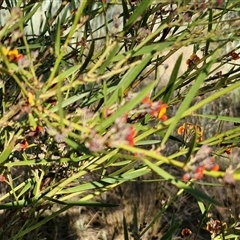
pixel 155 108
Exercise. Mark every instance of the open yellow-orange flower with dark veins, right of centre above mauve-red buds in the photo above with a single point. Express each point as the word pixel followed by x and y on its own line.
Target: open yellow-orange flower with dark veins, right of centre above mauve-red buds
pixel 188 130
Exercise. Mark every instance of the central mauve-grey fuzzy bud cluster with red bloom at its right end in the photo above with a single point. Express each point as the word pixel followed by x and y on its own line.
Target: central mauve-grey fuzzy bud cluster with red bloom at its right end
pixel 119 133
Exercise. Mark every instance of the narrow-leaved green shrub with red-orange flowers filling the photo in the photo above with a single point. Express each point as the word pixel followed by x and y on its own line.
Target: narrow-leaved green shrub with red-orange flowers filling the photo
pixel 83 114
